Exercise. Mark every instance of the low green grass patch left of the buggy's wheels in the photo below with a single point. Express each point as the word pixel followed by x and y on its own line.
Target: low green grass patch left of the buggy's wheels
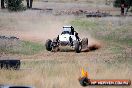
pixel 25 48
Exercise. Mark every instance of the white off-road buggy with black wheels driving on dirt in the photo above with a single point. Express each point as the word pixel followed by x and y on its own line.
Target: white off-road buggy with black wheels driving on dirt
pixel 68 37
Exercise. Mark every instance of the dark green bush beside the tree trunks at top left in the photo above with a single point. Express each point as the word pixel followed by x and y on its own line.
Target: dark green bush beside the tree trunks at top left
pixel 14 5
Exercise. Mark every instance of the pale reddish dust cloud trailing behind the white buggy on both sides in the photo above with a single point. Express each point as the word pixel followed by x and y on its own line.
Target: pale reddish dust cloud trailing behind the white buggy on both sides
pixel 39 28
